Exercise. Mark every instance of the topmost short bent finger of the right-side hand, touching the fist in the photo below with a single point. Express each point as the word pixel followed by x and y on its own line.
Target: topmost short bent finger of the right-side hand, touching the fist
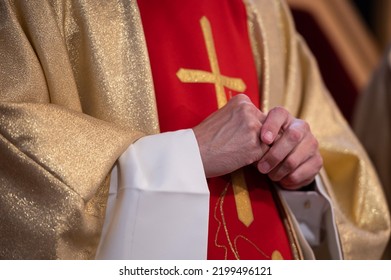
pixel 278 118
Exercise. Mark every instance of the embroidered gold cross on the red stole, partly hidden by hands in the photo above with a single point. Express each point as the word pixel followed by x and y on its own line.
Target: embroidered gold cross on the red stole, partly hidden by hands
pixel 242 199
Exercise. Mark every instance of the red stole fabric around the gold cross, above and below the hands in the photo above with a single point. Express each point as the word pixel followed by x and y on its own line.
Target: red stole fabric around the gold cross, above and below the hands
pixel 175 40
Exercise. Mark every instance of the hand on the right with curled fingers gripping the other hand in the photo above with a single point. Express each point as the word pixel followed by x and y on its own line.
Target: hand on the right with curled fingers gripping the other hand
pixel 293 159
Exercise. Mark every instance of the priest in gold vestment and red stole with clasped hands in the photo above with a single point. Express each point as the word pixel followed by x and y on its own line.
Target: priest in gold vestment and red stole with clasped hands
pixel 175 130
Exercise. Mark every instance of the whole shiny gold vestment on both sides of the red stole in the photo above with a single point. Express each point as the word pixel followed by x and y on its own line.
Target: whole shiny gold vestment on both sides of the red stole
pixel 76 90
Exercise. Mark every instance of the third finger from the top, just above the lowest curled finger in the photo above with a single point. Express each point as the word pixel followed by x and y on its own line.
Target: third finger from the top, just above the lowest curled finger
pixel 305 150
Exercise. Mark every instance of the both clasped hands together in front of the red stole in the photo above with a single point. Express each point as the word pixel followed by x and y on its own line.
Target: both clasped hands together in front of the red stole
pixel 239 134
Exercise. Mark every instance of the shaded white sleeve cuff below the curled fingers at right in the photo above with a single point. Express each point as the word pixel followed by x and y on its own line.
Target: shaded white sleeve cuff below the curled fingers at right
pixel 314 214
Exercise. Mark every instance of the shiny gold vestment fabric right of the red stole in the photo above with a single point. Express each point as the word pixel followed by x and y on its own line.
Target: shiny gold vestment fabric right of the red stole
pixel 291 79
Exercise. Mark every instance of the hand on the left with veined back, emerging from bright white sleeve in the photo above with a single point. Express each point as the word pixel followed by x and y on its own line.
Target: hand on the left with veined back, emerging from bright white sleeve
pixel 229 138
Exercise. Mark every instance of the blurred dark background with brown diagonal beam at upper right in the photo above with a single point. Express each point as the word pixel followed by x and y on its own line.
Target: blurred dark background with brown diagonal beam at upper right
pixel 348 37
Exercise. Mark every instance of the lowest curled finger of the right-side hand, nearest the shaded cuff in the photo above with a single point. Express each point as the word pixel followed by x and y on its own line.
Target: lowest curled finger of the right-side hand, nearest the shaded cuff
pixel 304 174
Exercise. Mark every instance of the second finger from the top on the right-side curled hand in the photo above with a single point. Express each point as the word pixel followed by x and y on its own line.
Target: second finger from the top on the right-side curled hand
pixel 285 145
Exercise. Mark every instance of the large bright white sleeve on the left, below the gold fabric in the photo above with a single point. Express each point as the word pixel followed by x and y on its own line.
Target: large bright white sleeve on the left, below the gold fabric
pixel 160 208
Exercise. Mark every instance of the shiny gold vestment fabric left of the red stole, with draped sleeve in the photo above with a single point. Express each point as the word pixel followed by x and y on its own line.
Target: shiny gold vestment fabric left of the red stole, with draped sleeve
pixel 75 91
